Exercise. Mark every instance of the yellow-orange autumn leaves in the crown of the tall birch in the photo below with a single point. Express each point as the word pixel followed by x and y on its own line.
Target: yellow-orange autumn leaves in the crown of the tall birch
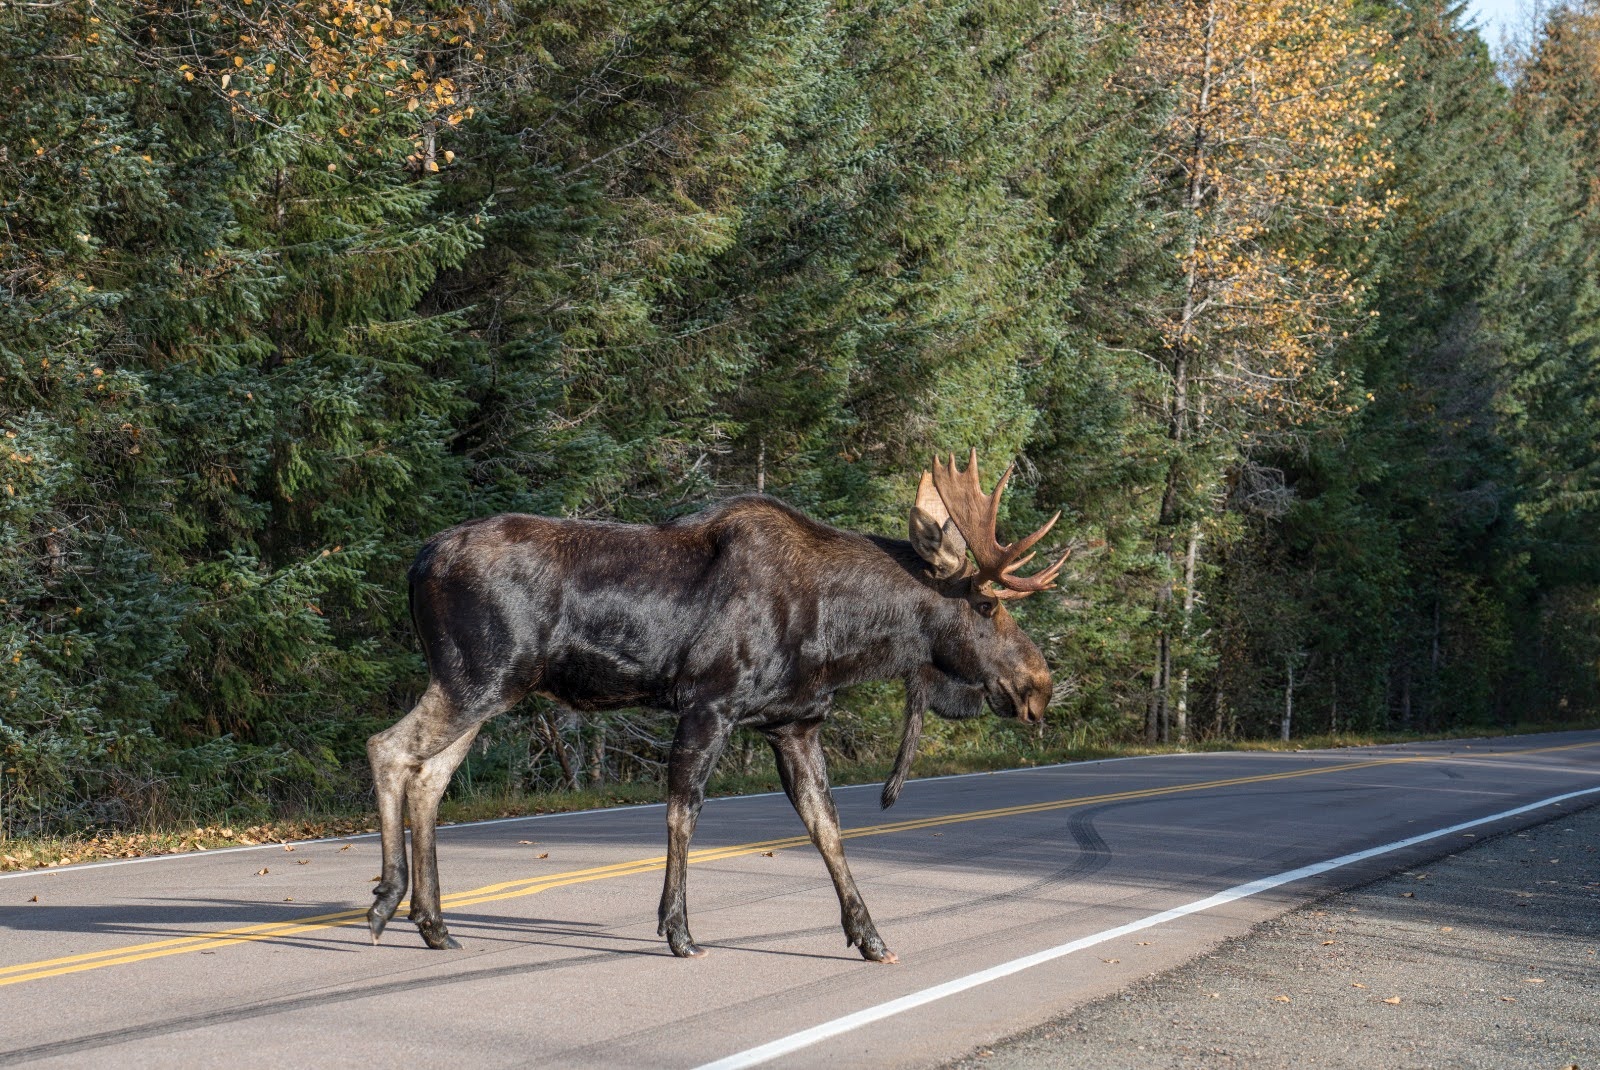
pixel 1271 138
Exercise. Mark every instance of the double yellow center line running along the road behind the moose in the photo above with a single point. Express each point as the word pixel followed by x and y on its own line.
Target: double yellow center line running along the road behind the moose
pixel 534 885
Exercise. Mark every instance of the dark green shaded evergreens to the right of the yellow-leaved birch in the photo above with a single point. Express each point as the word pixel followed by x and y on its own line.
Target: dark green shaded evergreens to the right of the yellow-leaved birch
pixel 1433 538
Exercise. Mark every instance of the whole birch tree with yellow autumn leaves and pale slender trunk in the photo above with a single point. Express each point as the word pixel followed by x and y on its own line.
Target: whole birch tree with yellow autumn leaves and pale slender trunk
pixel 1266 164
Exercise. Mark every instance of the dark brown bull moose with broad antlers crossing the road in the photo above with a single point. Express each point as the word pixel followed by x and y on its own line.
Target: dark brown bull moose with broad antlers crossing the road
pixel 745 615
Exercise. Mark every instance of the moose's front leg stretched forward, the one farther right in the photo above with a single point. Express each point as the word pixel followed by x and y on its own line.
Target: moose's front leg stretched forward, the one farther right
pixel 804 772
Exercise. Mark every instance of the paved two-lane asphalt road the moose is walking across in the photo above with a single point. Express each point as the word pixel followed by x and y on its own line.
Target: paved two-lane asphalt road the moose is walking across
pixel 1010 898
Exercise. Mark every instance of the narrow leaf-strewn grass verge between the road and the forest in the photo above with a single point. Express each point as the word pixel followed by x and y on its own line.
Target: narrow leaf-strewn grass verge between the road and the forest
pixel 92 847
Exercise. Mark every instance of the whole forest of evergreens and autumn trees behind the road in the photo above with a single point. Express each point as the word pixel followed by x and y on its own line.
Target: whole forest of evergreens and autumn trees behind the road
pixel 1290 306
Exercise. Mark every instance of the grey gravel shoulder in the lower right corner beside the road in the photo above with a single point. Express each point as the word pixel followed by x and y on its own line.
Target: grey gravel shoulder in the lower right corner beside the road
pixel 1486 959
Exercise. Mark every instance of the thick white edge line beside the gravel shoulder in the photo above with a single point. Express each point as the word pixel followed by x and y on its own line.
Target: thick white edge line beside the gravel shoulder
pixel 826 1031
